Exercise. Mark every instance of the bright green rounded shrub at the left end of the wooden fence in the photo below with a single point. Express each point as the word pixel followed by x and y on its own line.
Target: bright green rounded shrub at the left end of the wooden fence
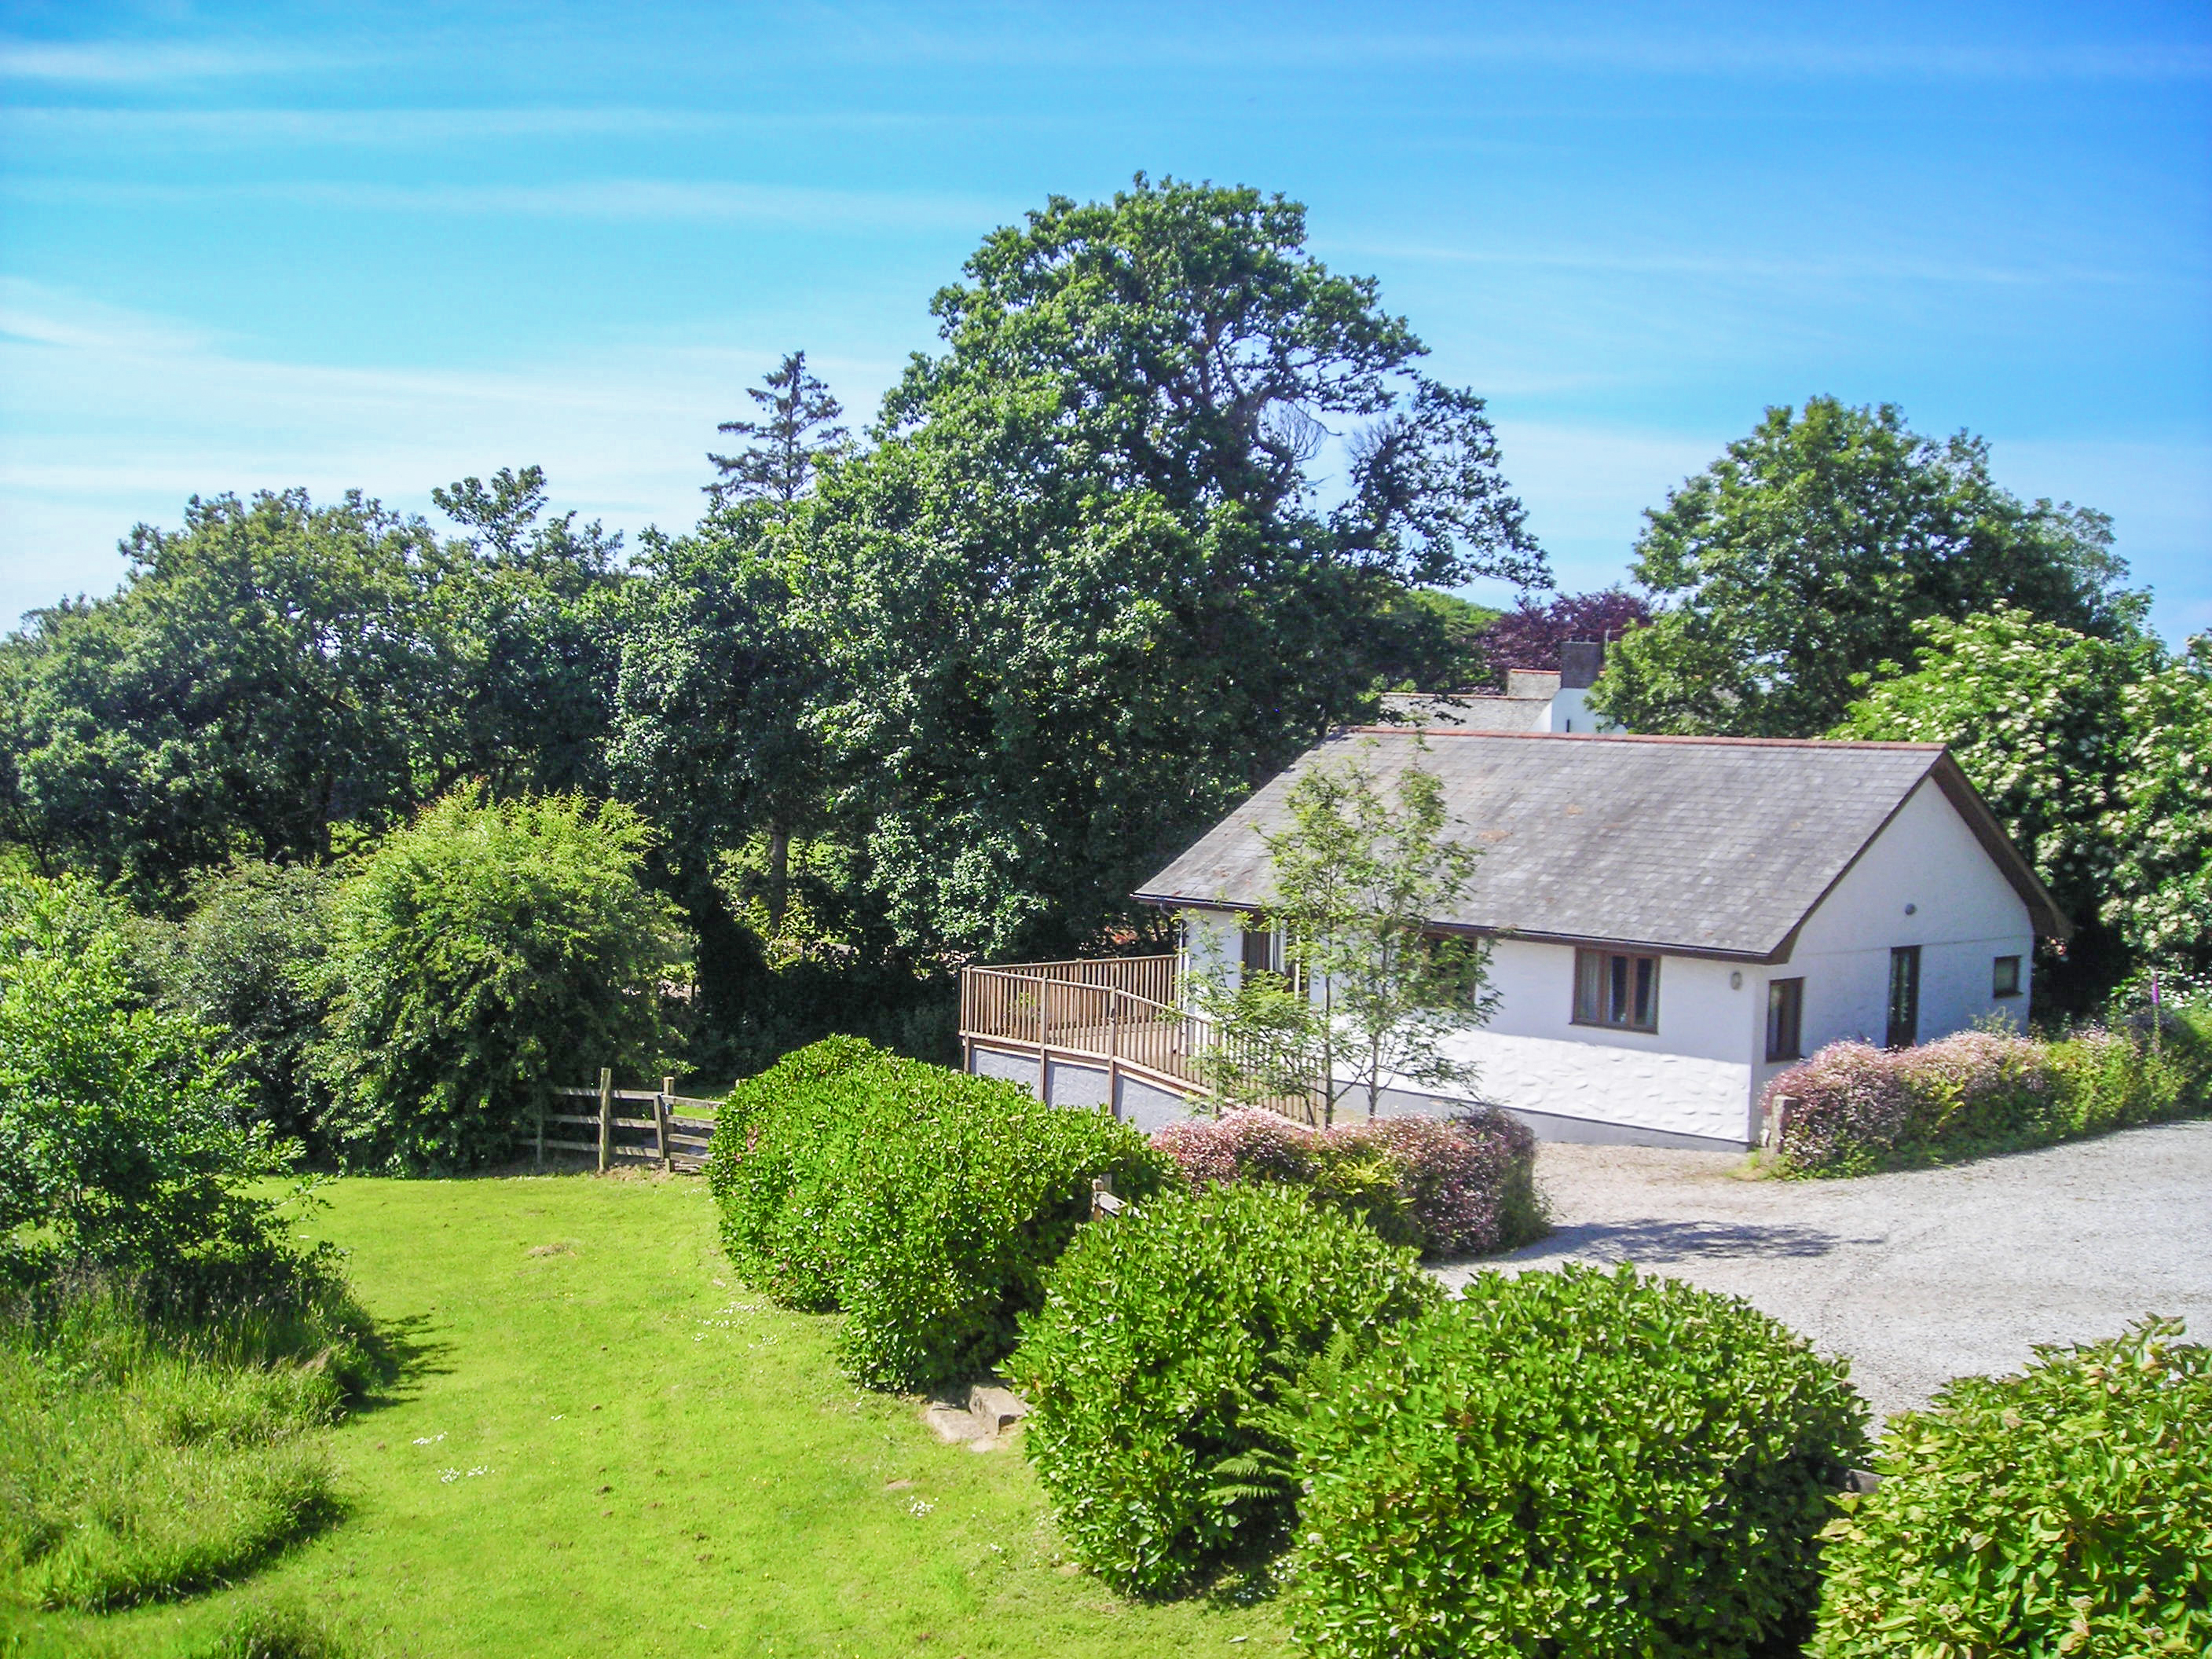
pixel 486 957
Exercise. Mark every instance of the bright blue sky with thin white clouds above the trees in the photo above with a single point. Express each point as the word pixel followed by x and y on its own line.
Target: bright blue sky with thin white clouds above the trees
pixel 386 247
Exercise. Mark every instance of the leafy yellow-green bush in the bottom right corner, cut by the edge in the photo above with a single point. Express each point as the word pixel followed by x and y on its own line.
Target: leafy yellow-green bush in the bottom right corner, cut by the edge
pixel 2060 1512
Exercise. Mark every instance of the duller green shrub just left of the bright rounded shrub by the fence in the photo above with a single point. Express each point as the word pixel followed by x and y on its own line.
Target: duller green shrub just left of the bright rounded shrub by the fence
pixel 249 961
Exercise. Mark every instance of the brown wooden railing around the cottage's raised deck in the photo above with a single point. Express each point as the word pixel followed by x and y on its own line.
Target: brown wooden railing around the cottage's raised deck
pixel 1123 1012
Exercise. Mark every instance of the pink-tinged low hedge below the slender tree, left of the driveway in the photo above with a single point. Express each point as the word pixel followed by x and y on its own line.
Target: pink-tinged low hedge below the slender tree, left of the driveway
pixel 1450 1187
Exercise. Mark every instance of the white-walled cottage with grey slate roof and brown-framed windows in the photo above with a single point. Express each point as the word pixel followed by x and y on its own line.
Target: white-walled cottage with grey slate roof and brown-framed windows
pixel 1673 921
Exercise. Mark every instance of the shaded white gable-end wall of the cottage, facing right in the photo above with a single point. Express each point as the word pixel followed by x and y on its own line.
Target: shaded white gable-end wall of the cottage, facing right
pixel 1965 917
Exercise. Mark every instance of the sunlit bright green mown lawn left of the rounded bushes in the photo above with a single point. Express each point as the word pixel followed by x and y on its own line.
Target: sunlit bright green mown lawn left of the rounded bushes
pixel 609 1448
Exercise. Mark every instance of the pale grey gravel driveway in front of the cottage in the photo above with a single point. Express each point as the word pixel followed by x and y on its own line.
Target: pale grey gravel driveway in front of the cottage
pixel 1917 1277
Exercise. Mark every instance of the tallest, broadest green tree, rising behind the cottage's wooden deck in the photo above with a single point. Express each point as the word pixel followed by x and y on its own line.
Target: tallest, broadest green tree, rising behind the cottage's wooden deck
pixel 1089 585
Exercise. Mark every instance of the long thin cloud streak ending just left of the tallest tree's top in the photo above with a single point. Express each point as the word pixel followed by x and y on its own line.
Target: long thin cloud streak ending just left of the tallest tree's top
pixel 705 200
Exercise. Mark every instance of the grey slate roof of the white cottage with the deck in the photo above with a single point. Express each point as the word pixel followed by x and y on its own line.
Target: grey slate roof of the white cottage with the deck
pixel 1693 846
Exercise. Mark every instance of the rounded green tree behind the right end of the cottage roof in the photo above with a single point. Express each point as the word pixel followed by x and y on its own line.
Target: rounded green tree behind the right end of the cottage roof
pixel 1808 552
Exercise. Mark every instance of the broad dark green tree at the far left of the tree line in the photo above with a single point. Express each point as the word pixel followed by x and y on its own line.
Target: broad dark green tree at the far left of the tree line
pixel 267 674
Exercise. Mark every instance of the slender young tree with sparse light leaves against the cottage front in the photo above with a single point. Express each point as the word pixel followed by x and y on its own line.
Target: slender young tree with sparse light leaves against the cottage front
pixel 1359 992
